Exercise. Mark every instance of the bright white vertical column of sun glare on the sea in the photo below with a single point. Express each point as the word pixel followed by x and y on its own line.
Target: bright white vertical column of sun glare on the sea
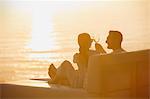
pixel 41 30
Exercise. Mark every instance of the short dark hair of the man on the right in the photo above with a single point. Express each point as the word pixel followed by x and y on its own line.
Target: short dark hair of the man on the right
pixel 116 35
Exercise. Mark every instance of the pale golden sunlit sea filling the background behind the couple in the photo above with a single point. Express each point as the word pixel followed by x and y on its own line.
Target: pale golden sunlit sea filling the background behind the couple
pixel 35 34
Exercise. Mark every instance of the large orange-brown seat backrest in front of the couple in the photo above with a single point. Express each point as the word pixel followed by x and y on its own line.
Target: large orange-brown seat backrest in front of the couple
pixel 124 74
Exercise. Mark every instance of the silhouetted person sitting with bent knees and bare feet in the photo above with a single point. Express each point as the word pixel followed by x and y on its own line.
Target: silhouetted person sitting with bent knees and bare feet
pixel 66 74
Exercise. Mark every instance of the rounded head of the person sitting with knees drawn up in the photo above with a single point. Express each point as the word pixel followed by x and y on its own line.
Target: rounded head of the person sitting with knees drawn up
pixel 84 40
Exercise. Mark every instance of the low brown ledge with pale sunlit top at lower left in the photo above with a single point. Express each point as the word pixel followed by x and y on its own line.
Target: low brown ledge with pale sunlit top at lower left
pixel 39 90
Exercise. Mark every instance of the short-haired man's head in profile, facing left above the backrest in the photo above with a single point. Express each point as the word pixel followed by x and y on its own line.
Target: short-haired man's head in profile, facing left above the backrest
pixel 114 40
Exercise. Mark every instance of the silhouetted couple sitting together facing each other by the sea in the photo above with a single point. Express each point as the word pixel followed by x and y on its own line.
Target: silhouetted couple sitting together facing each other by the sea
pixel 65 74
